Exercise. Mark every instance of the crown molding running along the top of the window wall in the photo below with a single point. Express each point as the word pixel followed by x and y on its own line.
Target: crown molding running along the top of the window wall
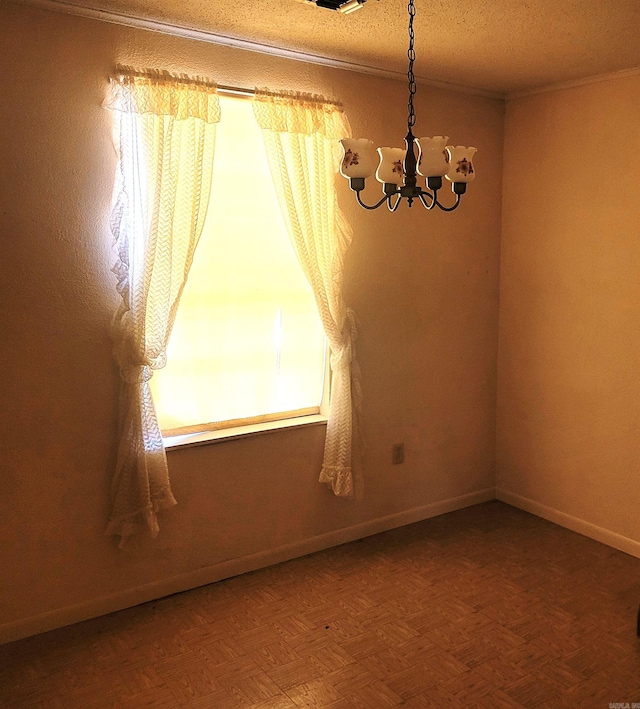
pixel 238 43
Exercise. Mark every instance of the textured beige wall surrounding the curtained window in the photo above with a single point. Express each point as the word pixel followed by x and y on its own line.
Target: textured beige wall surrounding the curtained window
pixel 425 287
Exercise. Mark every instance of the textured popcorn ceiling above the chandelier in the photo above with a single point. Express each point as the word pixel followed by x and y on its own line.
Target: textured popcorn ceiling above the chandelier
pixel 496 45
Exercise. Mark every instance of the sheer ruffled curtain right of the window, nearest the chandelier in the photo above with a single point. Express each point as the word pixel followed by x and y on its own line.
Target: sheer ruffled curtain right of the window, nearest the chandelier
pixel 301 134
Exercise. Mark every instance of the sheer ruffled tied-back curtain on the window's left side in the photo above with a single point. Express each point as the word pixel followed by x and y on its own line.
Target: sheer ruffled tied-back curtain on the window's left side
pixel 166 127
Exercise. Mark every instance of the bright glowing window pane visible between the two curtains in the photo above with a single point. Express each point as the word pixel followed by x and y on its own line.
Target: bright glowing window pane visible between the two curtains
pixel 247 344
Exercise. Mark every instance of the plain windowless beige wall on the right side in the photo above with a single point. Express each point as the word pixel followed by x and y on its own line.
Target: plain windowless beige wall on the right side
pixel 568 435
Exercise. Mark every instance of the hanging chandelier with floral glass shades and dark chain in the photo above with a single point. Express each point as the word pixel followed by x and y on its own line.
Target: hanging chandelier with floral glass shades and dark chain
pixel 399 168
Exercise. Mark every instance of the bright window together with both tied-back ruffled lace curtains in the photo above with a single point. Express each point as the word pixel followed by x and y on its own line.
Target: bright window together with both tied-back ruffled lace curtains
pixel 167 127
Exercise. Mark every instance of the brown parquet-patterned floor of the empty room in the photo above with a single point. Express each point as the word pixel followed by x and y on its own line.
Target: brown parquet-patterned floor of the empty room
pixel 485 607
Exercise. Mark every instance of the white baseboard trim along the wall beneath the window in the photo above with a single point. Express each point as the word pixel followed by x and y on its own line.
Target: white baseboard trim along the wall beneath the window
pixel 200 577
